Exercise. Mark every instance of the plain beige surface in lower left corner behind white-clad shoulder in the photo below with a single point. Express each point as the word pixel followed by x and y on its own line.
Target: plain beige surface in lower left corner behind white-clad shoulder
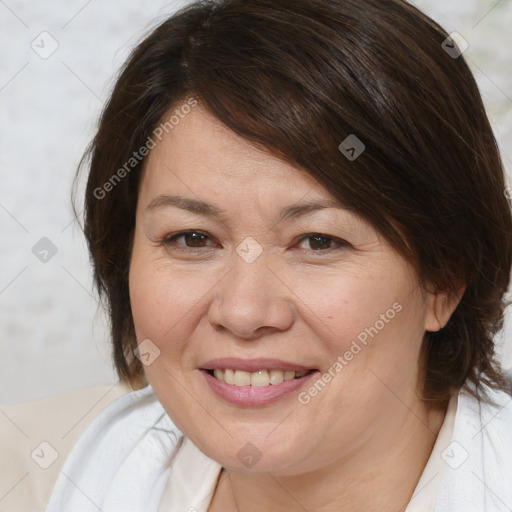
pixel 37 437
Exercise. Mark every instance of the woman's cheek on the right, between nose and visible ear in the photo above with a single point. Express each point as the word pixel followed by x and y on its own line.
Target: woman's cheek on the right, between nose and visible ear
pixel 367 319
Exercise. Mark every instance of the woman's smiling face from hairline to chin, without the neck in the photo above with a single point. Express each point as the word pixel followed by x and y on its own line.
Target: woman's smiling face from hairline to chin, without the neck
pixel 241 279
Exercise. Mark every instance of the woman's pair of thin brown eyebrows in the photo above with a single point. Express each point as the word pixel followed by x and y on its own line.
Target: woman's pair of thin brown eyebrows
pixel 208 210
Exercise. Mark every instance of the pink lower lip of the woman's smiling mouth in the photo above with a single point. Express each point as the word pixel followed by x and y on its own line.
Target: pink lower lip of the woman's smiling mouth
pixel 253 396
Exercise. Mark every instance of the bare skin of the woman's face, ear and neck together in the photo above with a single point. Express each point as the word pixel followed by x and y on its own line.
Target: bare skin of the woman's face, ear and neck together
pixel 363 441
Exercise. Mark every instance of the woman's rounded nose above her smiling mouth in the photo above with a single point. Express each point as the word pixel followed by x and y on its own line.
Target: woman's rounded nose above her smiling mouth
pixel 252 300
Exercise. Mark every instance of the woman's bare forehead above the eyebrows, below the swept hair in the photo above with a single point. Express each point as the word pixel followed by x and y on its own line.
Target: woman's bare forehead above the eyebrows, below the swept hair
pixel 200 152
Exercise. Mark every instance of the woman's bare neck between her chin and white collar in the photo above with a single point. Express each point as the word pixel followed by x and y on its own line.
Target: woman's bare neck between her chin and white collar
pixel 381 476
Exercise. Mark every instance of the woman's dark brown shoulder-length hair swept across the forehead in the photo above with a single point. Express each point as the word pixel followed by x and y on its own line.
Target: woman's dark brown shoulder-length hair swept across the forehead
pixel 296 78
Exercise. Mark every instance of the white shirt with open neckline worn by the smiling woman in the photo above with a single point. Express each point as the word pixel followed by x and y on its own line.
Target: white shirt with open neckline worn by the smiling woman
pixel 132 458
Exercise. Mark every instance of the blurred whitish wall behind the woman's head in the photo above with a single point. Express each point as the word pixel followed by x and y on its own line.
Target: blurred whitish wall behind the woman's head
pixel 59 61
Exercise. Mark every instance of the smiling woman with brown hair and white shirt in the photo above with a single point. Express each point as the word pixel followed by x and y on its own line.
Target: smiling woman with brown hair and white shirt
pixel 296 215
